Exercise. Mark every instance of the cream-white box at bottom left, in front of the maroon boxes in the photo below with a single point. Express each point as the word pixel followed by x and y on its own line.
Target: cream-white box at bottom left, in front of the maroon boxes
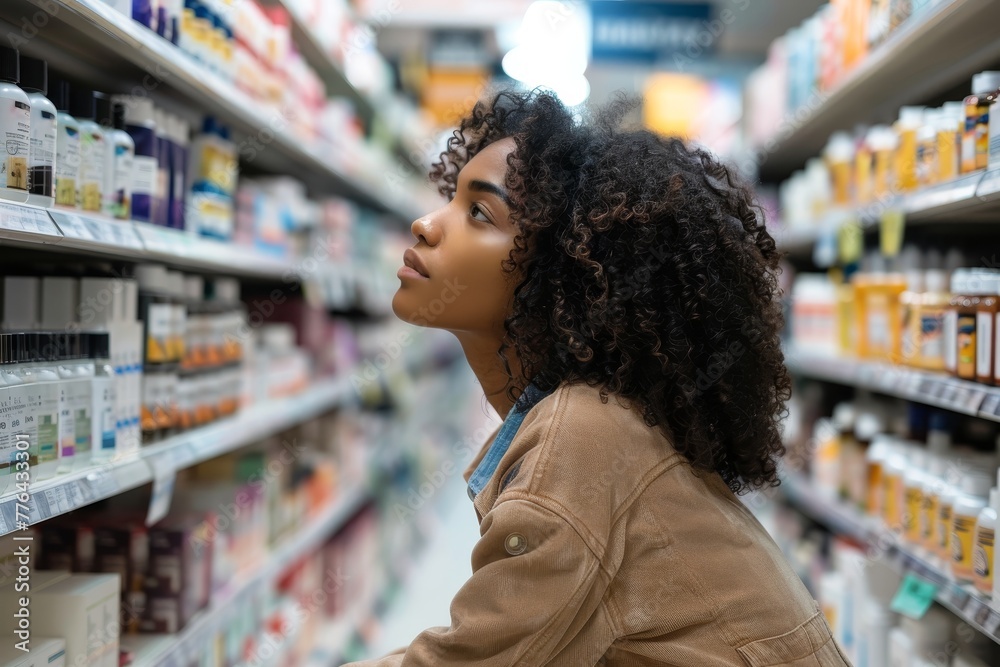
pixel 84 609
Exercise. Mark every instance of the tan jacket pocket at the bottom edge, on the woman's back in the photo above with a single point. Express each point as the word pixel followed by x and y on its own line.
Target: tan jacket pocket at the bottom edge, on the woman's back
pixel 810 644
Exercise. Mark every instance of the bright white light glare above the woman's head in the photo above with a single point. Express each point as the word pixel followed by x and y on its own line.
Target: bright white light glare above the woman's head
pixel 553 46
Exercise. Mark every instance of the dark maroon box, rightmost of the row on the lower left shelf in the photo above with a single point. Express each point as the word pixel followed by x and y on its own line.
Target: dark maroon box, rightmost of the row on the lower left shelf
pixel 180 561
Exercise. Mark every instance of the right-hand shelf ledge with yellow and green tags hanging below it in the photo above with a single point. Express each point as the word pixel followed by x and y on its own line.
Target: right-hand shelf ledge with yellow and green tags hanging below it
pixel 973 198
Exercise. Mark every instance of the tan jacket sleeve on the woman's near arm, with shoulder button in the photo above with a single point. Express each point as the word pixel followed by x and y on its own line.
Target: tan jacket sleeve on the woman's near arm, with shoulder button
pixel 534 597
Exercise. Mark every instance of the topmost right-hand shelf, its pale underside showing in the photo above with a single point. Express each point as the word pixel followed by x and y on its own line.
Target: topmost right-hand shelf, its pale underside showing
pixel 927 56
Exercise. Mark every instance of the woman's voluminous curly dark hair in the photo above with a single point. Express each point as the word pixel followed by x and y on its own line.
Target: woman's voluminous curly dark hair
pixel 643 267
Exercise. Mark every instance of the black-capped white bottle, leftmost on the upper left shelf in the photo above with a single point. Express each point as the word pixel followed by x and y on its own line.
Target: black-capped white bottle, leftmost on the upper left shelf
pixel 15 128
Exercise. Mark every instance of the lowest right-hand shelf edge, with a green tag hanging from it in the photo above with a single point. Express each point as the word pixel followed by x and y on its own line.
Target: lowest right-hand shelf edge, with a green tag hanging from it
pixel 961 599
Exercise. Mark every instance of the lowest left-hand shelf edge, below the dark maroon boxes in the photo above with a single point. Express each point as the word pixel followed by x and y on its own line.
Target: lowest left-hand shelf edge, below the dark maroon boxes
pixel 184 648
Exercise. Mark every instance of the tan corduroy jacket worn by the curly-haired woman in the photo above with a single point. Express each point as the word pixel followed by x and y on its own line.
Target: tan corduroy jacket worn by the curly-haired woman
pixel 600 546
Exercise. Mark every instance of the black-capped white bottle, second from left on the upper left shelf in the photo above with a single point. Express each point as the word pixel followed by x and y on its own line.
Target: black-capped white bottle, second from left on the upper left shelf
pixel 44 127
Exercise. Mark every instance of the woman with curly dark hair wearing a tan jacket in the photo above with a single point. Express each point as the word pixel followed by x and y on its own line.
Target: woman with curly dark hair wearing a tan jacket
pixel 615 293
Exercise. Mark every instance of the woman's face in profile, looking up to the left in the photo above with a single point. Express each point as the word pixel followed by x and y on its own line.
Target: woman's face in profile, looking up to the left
pixel 452 278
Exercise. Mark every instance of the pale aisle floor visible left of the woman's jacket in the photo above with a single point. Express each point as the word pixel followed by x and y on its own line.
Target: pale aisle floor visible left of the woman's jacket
pixel 440 571
